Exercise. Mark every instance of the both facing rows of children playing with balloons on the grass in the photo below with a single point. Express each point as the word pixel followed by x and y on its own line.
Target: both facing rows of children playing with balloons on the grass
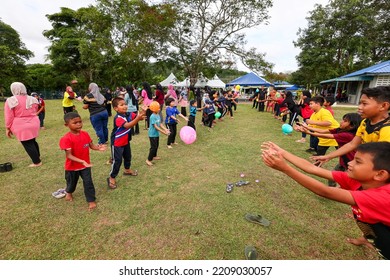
pixel 363 171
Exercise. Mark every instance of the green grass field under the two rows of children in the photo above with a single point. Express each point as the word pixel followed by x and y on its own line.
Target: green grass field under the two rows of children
pixel 177 209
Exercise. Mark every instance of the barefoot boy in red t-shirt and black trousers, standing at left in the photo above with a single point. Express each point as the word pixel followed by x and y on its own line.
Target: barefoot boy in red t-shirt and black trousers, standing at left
pixel 76 144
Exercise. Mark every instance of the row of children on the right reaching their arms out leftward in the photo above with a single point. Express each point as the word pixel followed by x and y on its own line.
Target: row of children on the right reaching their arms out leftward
pixel 363 172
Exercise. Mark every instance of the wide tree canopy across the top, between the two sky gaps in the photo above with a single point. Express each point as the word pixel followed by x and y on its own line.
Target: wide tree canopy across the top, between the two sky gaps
pixel 117 41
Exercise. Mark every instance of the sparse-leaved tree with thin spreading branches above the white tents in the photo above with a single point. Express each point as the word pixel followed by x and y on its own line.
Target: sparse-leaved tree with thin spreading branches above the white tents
pixel 209 31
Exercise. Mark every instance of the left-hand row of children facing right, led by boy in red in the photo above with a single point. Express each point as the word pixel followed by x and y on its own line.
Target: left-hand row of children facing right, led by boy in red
pixel 76 143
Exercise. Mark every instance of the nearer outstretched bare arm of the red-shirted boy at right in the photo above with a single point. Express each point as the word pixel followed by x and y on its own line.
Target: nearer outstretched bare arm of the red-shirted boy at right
pixel 275 160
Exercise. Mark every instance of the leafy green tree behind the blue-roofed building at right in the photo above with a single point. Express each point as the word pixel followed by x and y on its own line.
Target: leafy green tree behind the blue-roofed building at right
pixel 341 37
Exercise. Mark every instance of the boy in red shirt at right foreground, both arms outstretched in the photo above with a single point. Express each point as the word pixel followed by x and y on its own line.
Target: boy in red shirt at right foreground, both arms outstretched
pixel 365 186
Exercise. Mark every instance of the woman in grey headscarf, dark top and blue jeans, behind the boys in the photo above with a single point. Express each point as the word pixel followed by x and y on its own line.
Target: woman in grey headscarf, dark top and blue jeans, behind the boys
pixel 94 101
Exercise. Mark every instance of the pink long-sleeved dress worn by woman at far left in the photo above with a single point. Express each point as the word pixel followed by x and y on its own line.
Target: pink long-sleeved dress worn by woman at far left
pixel 24 123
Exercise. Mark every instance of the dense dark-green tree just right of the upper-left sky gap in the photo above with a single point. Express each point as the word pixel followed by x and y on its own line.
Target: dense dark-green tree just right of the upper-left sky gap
pixel 79 41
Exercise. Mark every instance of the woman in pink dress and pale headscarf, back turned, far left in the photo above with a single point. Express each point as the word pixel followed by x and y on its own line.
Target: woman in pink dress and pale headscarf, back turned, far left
pixel 21 120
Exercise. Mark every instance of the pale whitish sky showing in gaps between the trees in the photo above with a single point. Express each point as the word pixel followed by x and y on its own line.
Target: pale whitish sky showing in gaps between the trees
pixel 275 39
